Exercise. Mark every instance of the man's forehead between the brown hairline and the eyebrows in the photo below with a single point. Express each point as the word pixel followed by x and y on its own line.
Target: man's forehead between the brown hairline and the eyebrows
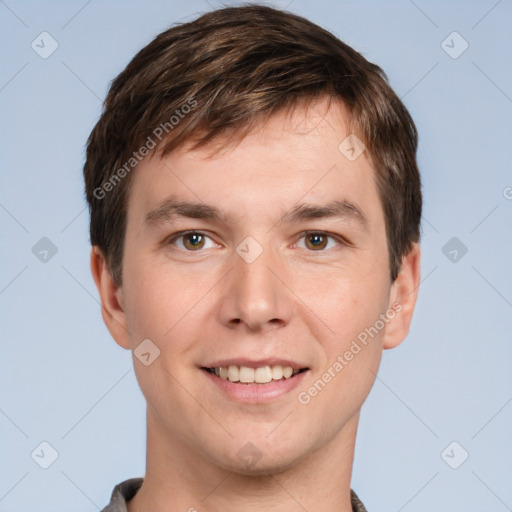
pixel 296 157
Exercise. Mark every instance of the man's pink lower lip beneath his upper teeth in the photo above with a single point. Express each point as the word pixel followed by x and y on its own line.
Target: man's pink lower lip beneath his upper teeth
pixel 256 393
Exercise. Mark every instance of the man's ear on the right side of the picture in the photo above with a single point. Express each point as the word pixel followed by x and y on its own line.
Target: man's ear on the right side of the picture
pixel 403 295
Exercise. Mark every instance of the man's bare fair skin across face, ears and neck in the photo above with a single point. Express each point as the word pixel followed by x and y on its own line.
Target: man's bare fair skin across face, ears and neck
pixel 294 301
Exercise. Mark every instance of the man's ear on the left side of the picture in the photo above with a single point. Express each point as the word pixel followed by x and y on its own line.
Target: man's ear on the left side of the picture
pixel 112 300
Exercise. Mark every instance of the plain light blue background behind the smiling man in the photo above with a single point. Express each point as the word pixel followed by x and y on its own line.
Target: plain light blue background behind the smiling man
pixel 65 381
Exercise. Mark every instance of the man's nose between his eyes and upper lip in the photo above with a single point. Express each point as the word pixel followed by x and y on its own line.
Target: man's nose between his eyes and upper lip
pixel 255 295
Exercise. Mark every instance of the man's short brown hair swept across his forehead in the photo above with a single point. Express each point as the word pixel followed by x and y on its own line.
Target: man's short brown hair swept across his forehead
pixel 221 74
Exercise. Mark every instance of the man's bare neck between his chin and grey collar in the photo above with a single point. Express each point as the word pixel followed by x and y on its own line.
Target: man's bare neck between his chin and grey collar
pixel 179 479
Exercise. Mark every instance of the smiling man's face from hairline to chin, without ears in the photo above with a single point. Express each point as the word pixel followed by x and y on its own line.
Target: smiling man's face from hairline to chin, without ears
pixel 255 286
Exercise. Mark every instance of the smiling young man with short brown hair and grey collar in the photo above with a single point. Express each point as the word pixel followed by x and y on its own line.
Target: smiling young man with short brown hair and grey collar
pixel 255 207
